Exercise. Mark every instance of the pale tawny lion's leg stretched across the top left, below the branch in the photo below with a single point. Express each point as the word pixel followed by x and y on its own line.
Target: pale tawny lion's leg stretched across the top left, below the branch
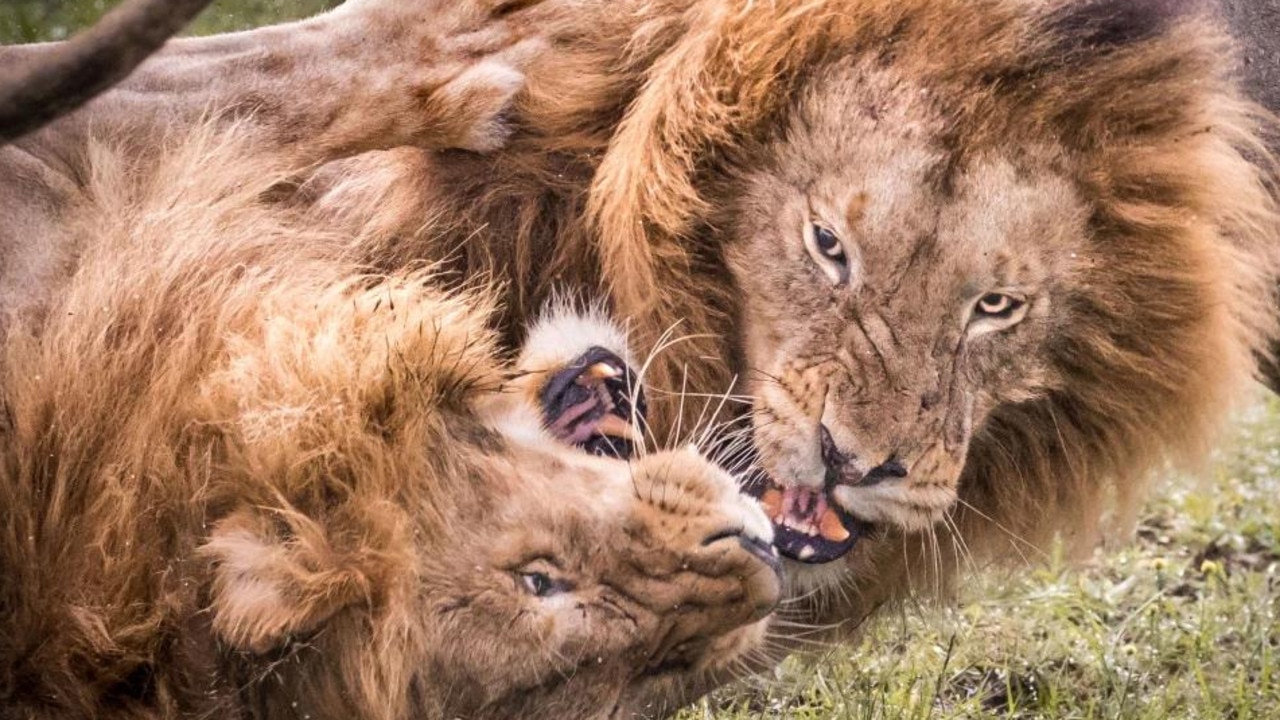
pixel 374 74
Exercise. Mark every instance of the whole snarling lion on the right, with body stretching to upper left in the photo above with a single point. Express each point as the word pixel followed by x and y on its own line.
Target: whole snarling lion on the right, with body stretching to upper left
pixel 975 268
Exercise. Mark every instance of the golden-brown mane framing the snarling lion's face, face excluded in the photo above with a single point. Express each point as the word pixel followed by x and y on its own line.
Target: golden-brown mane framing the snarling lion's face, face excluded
pixel 633 130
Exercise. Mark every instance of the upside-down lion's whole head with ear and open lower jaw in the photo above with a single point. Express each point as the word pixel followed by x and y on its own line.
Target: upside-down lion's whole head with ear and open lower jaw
pixel 467 555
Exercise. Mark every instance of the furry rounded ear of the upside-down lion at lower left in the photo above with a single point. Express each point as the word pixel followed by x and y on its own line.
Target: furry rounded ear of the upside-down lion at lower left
pixel 276 575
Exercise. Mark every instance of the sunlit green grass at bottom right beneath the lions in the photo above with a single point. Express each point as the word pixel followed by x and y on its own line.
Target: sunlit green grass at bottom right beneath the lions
pixel 1185 622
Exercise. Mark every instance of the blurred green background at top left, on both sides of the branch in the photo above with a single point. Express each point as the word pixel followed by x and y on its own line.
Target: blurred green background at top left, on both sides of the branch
pixel 31 21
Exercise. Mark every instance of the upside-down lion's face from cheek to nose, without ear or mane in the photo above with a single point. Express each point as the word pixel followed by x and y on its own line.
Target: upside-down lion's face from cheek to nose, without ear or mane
pixel 580 576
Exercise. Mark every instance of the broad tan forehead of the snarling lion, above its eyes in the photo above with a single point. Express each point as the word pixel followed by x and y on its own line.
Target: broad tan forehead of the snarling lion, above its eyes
pixel 884 162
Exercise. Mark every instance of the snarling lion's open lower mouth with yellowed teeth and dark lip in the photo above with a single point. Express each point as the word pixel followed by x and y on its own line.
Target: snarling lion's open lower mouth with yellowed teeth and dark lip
pixel 808 526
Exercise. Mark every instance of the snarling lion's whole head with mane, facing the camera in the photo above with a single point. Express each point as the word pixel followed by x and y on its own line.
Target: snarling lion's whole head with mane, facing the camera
pixel 989 262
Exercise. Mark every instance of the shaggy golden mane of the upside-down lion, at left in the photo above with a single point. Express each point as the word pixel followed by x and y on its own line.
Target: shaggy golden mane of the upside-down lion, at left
pixel 124 436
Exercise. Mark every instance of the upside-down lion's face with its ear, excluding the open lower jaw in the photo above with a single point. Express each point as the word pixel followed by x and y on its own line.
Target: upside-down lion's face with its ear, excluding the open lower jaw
pixel 534 581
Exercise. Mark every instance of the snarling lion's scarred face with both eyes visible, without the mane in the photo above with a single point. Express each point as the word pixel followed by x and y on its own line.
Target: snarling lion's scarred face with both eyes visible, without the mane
pixel 890 302
